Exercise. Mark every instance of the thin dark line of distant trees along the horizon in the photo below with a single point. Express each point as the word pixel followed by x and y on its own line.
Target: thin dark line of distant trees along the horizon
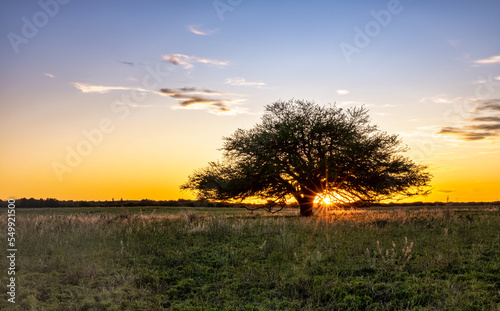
pixel 51 202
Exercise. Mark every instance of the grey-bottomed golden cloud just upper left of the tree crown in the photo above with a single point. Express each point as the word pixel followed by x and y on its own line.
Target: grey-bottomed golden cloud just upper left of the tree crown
pixel 192 98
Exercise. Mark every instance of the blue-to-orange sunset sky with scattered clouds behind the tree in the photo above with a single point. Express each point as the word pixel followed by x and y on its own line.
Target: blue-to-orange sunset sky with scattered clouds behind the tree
pixel 105 100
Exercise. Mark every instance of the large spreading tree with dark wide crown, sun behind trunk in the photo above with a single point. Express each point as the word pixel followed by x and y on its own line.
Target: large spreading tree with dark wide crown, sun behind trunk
pixel 301 150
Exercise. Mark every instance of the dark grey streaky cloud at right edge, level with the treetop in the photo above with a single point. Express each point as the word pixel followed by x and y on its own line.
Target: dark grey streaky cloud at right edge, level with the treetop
pixel 485 122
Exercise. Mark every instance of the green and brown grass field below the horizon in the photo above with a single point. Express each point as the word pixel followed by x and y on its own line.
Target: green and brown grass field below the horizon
pixel 218 258
